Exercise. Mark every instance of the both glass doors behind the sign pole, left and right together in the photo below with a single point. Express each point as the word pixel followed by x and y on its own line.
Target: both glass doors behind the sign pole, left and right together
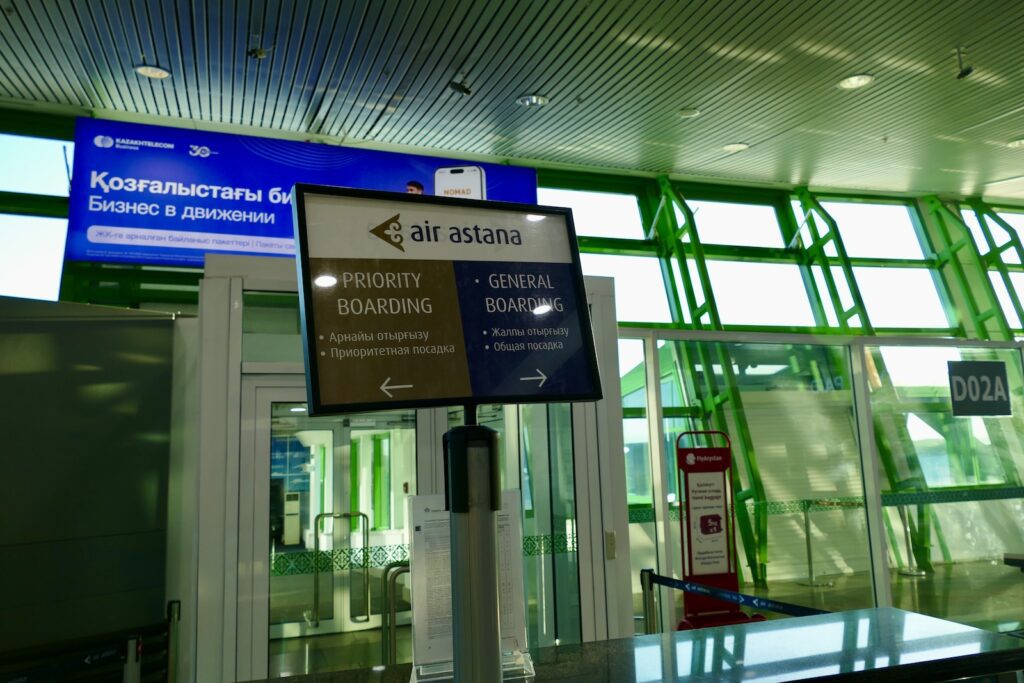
pixel 334 522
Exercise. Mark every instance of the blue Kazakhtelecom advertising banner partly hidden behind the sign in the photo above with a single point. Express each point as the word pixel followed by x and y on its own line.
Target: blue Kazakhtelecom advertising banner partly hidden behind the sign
pixel 146 194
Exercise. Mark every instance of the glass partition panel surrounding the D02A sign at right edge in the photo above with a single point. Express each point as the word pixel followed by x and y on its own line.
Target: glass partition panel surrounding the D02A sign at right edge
pixel 953 499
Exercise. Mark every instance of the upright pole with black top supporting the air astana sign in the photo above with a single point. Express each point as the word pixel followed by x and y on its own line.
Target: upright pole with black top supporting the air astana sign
pixel 474 497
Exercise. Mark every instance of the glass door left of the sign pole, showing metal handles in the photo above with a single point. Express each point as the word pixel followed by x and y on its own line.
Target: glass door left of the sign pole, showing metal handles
pixel 336 520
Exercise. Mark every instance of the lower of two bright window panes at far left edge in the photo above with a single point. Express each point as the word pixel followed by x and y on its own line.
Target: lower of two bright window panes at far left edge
pixel 31 257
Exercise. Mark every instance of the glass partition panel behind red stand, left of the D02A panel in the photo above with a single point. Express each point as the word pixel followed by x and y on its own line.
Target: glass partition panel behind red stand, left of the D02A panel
pixel 789 411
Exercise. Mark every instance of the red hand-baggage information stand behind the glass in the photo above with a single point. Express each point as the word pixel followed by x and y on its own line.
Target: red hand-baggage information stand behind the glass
pixel 708 532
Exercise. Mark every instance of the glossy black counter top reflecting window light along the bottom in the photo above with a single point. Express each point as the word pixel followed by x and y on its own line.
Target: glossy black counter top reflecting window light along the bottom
pixel 885 645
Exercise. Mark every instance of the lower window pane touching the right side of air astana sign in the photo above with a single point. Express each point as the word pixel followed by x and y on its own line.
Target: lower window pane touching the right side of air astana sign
pixel 641 295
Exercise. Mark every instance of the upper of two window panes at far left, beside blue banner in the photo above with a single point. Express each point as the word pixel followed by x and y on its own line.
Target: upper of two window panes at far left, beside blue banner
pixel 35 165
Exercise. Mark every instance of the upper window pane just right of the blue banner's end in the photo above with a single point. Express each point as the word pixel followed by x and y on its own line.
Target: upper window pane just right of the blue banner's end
pixel 599 215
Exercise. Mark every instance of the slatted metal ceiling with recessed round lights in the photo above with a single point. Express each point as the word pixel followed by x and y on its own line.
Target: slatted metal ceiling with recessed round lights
pixel 617 74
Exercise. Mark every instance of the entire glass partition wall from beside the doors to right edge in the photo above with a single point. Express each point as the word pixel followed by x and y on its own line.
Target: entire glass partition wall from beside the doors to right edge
pixel 951 497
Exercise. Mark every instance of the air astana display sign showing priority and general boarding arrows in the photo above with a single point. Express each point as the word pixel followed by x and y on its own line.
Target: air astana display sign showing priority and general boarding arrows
pixel 415 301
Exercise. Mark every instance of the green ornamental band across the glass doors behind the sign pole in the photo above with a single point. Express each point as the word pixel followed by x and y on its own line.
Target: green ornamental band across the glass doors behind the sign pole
pixel 288 565
